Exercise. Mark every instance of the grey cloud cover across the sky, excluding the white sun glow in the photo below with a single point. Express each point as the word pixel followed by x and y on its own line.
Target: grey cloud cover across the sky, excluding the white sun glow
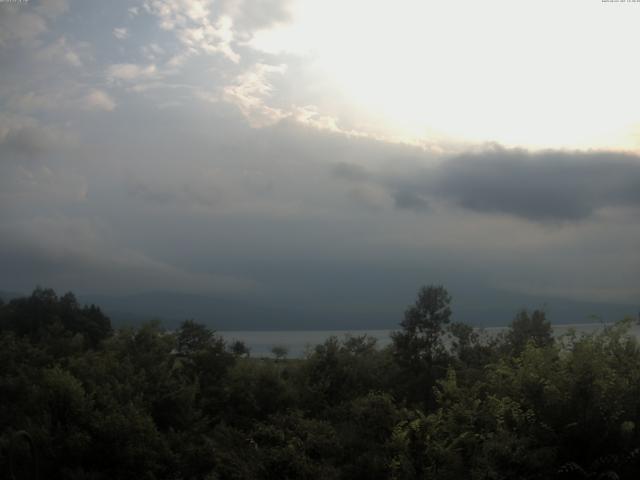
pixel 171 198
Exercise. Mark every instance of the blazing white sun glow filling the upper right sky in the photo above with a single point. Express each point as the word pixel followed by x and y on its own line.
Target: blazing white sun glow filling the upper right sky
pixel 536 73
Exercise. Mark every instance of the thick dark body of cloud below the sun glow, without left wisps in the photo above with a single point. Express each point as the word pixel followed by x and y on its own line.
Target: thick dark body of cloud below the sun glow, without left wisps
pixel 539 186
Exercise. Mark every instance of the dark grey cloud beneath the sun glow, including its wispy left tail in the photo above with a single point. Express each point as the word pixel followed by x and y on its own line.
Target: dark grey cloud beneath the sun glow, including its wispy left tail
pixel 547 186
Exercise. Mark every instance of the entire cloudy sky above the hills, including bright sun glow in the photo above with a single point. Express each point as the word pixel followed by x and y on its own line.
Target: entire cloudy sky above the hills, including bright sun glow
pixel 324 155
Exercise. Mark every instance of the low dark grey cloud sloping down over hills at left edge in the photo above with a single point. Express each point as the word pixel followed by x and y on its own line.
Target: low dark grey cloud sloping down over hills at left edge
pixel 66 251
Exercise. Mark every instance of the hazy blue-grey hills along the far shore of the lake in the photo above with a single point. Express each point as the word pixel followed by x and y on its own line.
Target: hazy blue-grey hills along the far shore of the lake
pixel 485 308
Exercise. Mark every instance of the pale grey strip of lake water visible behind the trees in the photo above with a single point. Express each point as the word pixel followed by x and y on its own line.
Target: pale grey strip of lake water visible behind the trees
pixel 297 342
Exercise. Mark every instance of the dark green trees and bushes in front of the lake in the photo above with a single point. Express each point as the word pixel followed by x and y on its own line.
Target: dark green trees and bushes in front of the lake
pixel 81 401
